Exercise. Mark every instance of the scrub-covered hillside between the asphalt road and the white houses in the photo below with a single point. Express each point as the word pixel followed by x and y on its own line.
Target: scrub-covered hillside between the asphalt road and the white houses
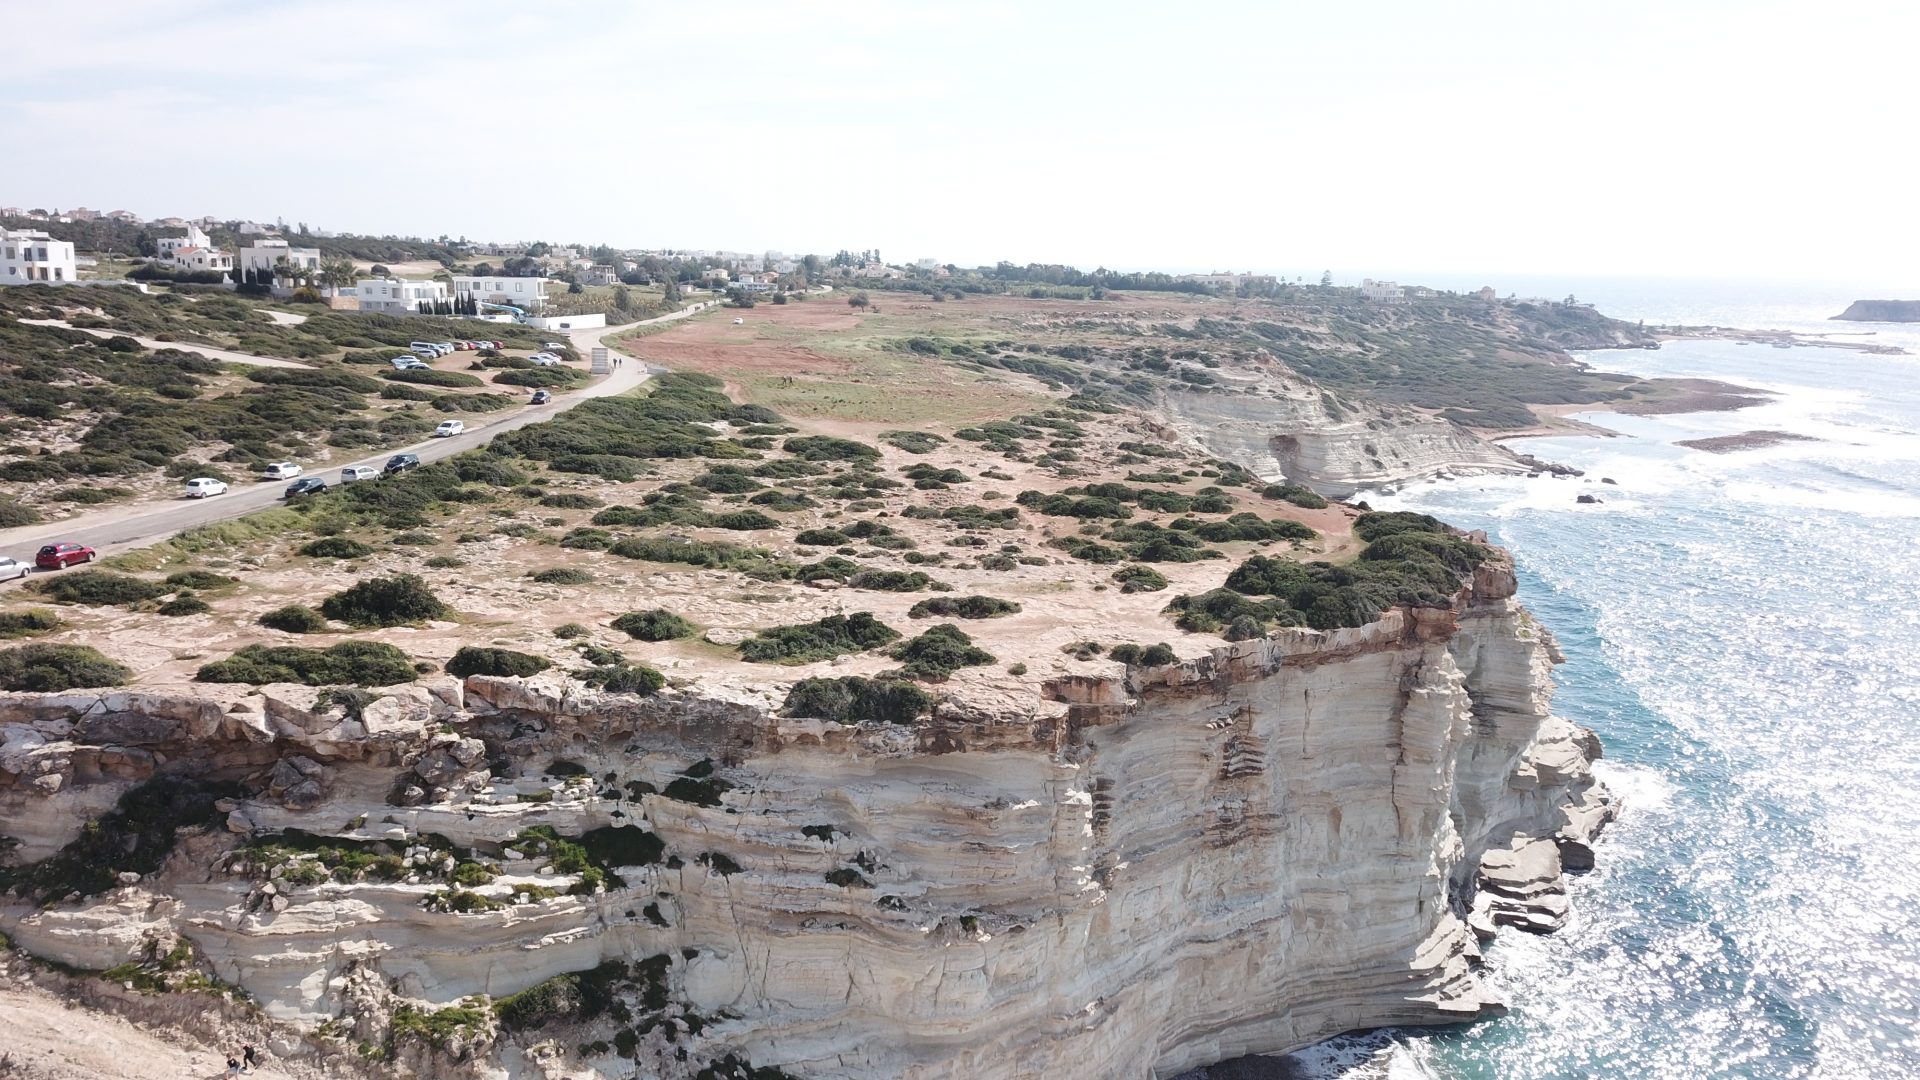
pixel 85 416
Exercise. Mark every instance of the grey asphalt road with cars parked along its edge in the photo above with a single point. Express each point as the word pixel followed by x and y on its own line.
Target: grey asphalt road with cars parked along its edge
pixel 137 526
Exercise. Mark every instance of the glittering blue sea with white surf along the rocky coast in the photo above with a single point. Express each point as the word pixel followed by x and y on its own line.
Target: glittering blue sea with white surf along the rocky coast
pixel 1744 633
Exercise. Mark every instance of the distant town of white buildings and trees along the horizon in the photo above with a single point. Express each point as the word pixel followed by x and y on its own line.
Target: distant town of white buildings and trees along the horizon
pixel 535 283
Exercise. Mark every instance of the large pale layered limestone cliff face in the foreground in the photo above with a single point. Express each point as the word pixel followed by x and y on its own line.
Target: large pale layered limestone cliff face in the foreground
pixel 1132 877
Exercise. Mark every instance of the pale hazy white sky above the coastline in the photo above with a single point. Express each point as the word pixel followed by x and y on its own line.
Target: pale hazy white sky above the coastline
pixel 1610 139
